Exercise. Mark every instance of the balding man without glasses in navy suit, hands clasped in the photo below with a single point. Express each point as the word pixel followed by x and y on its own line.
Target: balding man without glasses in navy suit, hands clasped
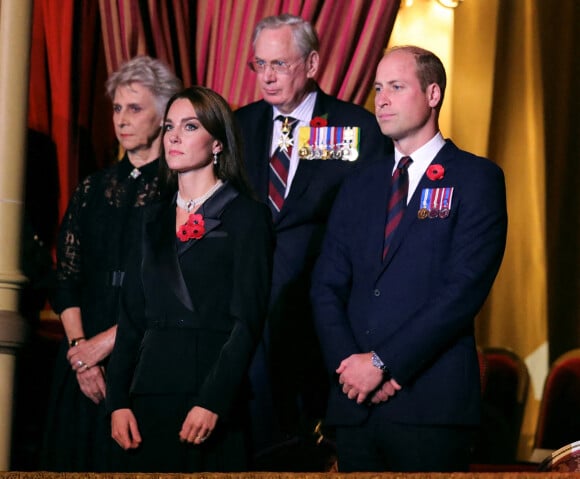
pixel 395 295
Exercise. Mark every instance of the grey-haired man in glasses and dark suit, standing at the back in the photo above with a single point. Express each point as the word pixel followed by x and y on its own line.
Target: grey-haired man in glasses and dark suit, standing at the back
pixel 289 366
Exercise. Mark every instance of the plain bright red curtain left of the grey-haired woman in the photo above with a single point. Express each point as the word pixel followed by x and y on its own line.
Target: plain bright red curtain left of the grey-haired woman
pixel 66 88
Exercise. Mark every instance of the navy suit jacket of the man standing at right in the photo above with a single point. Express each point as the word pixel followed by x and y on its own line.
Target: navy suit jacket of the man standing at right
pixel 417 307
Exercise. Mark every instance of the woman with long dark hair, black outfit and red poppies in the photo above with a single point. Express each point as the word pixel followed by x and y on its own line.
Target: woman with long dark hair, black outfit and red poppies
pixel 194 301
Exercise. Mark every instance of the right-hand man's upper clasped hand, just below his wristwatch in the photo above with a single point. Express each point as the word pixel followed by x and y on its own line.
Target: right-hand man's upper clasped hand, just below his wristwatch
pixel 358 376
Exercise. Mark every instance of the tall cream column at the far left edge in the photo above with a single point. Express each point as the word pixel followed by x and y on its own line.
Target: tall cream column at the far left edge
pixel 15 25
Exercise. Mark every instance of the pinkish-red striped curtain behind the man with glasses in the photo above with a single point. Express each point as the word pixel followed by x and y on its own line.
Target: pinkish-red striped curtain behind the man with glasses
pixel 353 35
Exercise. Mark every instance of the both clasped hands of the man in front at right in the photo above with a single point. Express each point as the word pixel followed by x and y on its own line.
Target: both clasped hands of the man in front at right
pixel 360 379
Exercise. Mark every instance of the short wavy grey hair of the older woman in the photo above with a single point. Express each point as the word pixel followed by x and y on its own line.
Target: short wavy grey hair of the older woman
pixel 150 73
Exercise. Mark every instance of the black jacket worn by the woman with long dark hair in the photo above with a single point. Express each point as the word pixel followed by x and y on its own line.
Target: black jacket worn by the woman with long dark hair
pixel 192 312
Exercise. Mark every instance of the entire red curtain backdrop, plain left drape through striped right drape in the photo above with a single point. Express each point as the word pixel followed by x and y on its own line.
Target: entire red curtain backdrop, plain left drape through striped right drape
pixel 76 43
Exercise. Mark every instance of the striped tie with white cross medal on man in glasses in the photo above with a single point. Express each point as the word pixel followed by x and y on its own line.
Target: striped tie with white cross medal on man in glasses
pixel 280 165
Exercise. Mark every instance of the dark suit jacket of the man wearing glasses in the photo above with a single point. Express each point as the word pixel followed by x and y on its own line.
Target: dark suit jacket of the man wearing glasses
pixel 302 221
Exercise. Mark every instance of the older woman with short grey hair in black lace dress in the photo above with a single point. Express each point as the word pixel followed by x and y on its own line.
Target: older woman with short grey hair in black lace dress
pixel 97 231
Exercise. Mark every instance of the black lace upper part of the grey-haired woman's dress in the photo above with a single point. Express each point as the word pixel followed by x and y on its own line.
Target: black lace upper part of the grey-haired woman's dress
pixel 96 235
